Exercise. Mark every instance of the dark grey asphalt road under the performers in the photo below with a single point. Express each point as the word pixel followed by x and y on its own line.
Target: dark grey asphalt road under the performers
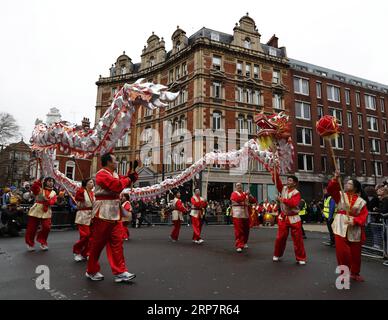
pixel 183 270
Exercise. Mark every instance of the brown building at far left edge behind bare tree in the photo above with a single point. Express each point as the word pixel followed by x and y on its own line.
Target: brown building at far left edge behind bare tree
pixel 14 164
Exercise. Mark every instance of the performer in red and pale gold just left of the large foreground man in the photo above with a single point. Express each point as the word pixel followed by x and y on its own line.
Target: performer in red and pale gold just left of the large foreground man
pixel 85 199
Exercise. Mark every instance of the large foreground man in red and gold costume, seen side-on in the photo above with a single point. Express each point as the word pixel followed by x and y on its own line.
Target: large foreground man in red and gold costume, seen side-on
pixel 106 228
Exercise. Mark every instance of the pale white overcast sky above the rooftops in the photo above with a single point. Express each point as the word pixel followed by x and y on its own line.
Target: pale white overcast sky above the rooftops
pixel 52 52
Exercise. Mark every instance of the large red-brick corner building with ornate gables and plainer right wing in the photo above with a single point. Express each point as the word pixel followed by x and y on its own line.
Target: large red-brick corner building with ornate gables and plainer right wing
pixel 224 80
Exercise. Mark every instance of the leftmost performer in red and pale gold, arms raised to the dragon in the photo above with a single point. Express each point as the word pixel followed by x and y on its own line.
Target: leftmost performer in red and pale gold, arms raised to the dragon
pixel 40 213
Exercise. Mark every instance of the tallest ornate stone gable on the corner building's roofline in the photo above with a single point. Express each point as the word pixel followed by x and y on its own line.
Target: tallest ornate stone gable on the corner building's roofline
pixel 246 34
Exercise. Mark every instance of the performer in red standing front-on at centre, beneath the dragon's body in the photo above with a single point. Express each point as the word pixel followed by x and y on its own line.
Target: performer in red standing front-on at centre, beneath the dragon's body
pixel 240 217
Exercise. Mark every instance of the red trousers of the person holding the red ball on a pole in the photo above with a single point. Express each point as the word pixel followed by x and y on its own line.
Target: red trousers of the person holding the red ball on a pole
pixel 348 254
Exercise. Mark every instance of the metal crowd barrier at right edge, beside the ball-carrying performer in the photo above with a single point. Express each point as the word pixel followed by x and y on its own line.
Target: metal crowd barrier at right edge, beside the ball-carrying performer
pixel 376 237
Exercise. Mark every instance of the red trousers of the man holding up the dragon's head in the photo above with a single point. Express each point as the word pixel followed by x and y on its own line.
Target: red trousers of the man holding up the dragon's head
pixel 297 238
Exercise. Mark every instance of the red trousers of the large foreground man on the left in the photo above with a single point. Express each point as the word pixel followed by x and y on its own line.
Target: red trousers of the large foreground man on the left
pixel 110 234
